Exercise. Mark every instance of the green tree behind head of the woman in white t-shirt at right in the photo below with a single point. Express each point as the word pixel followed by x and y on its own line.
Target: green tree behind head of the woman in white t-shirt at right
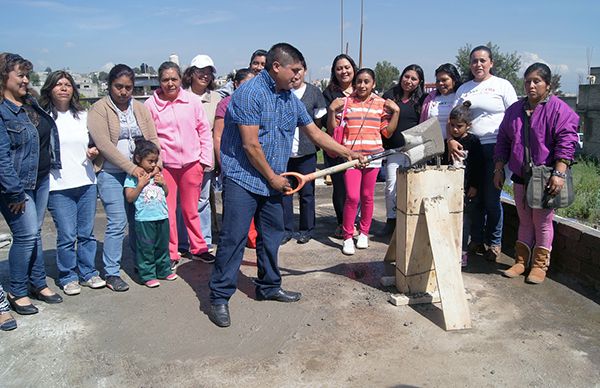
pixel 506 65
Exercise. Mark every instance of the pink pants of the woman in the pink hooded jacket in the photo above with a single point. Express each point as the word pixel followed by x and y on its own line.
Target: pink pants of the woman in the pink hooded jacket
pixel 189 180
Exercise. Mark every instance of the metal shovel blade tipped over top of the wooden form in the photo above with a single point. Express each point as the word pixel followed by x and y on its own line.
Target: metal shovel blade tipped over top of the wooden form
pixel 422 142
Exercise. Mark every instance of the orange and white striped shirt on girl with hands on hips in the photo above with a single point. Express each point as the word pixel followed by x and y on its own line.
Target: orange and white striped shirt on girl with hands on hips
pixel 372 117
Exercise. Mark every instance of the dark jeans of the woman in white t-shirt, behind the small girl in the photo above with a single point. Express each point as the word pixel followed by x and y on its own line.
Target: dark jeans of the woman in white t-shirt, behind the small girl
pixel 487 217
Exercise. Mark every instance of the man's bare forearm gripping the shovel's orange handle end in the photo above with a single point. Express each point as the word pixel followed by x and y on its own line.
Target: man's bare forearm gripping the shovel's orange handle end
pixel 256 156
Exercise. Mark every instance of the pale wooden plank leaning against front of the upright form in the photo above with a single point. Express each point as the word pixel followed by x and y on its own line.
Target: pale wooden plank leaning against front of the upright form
pixel 446 255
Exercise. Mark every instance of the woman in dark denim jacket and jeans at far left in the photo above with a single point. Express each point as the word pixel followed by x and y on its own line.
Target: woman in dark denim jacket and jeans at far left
pixel 29 148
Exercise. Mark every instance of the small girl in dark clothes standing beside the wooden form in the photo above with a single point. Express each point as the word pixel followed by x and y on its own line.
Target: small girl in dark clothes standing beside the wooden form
pixel 459 123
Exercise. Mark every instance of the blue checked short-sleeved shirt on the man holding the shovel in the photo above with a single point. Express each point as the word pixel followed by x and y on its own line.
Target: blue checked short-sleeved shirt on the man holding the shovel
pixel 277 115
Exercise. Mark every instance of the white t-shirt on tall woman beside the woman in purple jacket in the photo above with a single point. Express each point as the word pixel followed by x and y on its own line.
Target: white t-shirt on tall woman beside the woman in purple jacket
pixel 489 99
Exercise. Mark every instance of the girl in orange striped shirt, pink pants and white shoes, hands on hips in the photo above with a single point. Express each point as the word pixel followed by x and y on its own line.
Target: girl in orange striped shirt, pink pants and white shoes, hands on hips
pixel 366 117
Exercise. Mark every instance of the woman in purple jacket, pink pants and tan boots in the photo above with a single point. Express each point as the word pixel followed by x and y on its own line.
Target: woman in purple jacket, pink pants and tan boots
pixel 538 130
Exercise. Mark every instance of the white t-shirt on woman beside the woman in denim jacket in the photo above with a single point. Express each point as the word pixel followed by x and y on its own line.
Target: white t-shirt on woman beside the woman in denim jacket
pixel 77 170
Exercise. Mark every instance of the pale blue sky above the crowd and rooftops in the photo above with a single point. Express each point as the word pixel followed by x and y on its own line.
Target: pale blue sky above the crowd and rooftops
pixel 90 35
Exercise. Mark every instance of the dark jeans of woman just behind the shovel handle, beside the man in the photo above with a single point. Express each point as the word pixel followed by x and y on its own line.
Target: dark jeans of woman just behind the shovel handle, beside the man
pixel 304 165
